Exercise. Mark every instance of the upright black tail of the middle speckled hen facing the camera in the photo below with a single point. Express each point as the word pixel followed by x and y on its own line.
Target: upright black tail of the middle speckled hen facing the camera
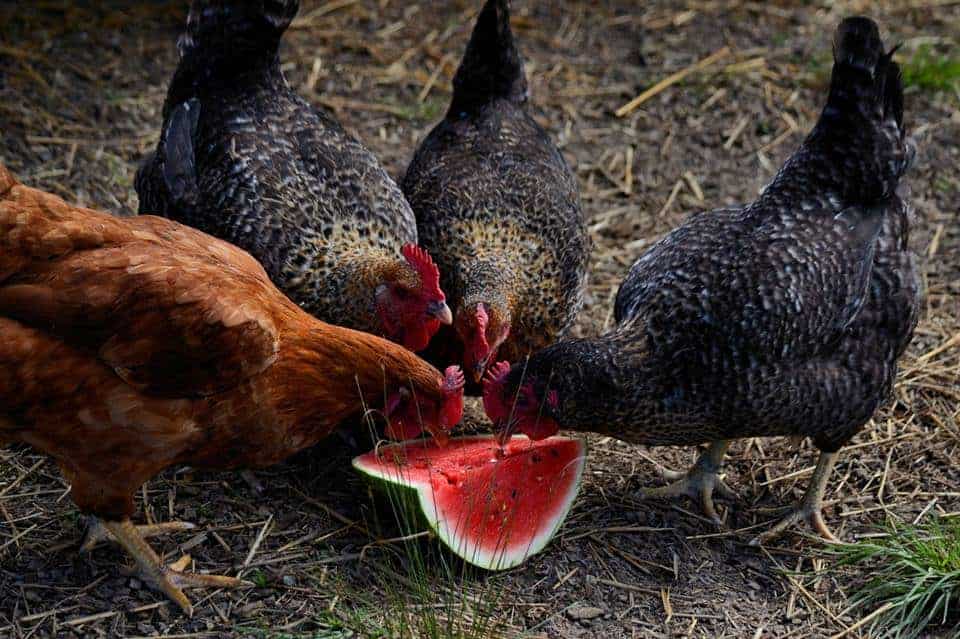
pixel 492 66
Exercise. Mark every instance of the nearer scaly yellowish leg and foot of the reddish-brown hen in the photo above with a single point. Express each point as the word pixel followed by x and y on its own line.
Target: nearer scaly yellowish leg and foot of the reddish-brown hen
pixel 170 580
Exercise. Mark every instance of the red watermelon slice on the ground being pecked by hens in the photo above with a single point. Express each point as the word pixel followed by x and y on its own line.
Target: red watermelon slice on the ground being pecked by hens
pixel 492 507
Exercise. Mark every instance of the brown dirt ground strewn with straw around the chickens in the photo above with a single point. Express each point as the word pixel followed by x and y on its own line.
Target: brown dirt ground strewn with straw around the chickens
pixel 81 87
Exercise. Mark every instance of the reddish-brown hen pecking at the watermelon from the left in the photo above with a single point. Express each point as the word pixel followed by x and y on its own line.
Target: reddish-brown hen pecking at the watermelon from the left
pixel 132 345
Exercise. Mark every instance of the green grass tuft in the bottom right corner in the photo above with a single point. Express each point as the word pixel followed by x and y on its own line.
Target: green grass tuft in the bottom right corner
pixel 913 578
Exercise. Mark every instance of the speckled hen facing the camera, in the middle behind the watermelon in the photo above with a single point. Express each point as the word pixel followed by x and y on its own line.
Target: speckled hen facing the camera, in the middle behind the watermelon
pixel 498 208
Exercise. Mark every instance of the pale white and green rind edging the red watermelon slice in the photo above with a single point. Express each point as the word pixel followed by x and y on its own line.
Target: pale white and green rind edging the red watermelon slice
pixel 386 480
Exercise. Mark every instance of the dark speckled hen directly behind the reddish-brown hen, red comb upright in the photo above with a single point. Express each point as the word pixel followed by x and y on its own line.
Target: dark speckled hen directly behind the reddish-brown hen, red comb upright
pixel 243 157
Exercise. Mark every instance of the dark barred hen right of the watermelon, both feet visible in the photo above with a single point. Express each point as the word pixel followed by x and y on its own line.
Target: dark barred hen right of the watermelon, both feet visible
pixel 782 317
